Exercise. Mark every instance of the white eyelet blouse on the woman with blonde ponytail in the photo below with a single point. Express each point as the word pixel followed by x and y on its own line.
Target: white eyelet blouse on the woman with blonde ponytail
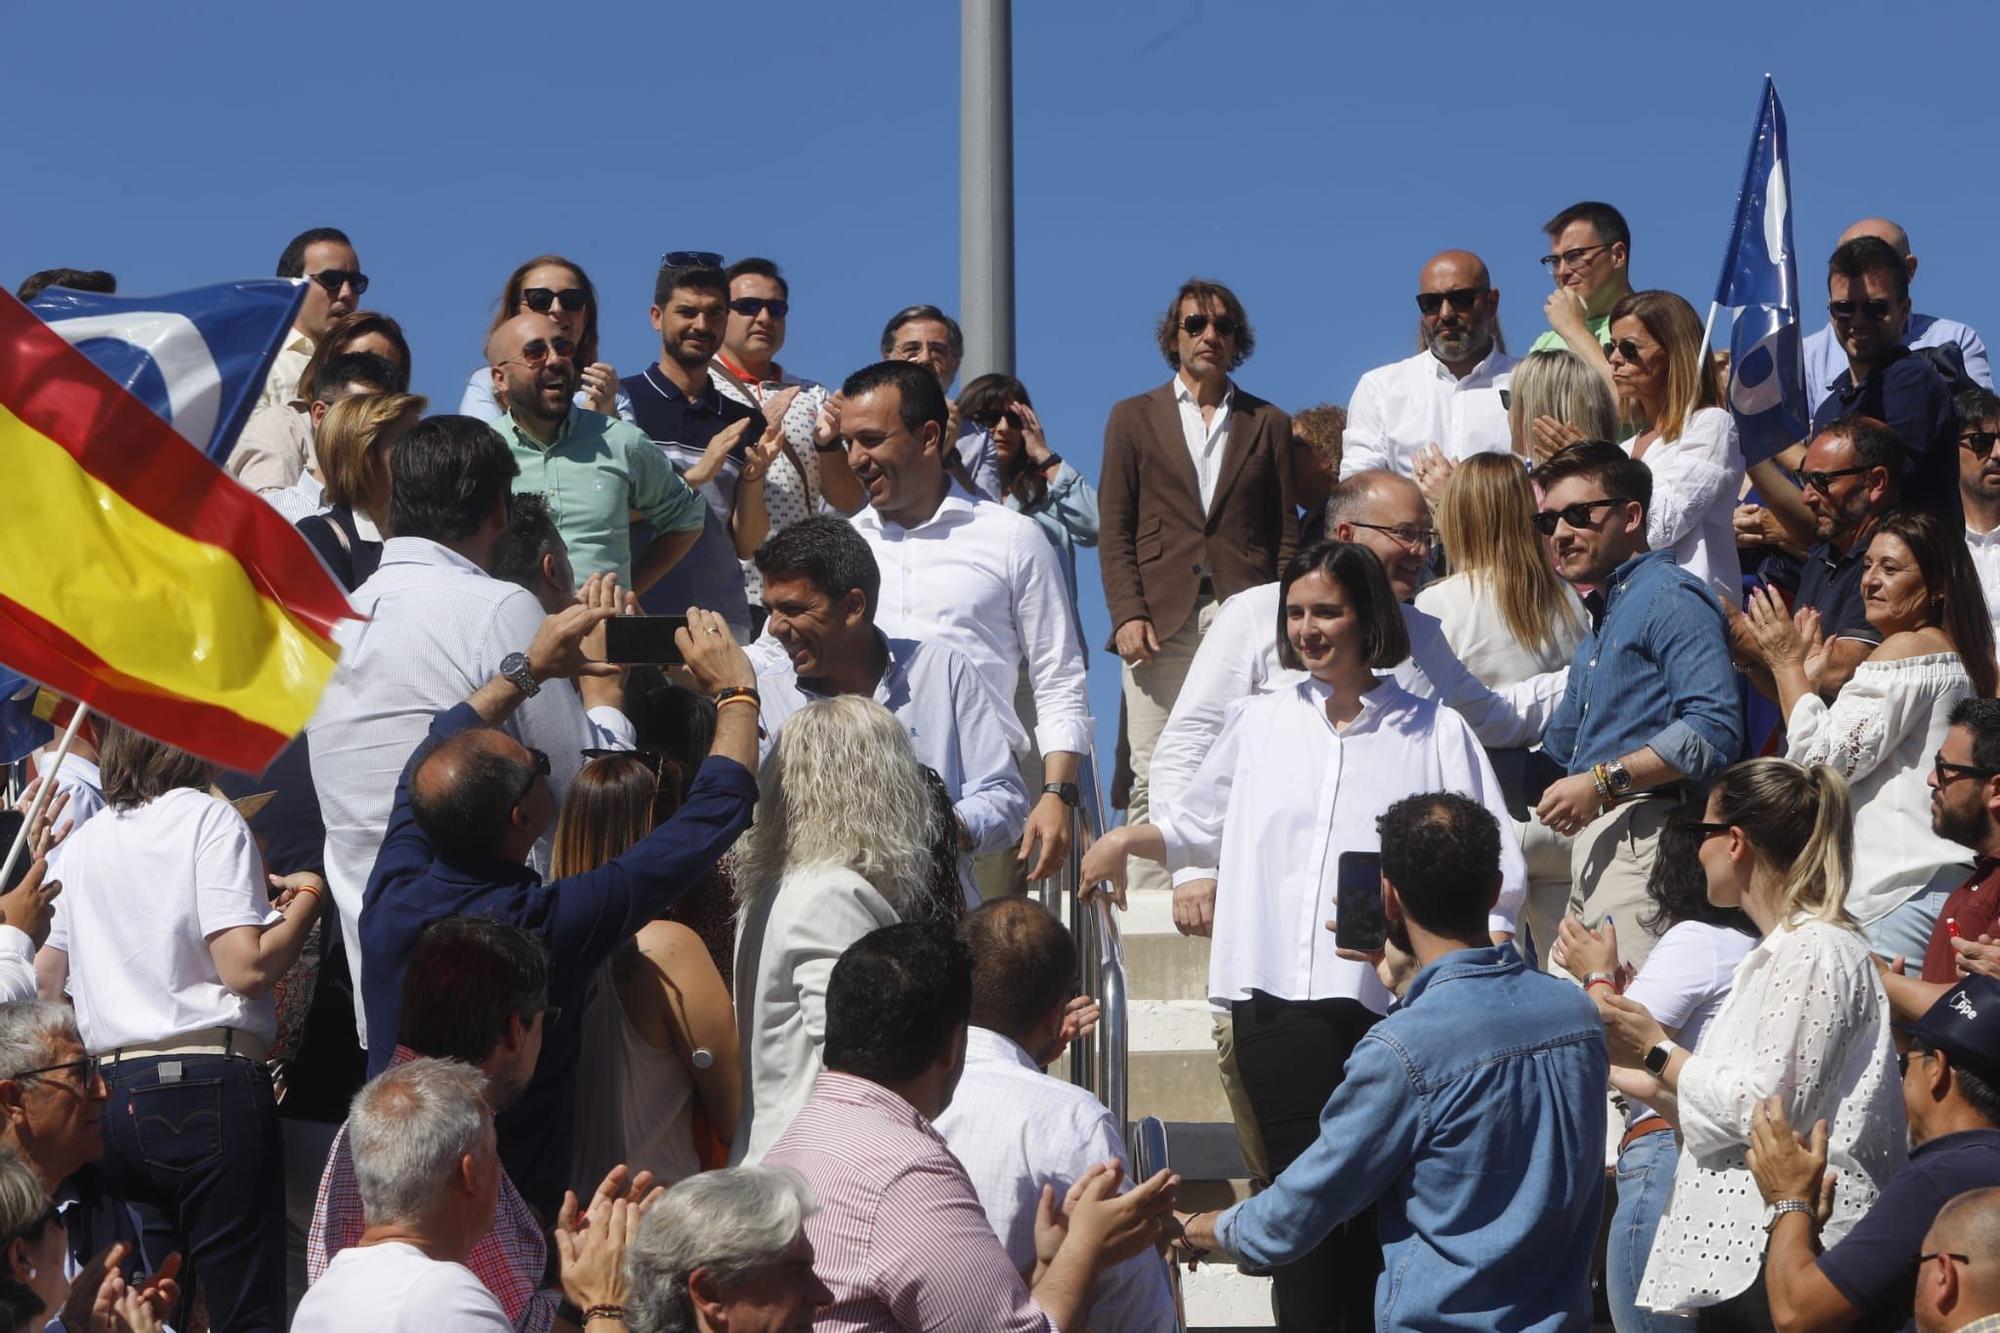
pixel 1807 1022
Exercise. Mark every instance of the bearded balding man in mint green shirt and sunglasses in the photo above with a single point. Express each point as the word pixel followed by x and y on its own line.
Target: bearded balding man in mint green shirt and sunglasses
pixel 597 471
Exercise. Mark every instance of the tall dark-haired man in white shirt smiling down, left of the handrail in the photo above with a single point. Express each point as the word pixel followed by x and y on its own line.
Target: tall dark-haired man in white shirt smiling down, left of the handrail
pixel 969 573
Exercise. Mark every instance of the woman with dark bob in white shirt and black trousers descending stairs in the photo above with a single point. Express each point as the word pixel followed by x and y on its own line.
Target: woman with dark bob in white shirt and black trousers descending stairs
pixel 1297 780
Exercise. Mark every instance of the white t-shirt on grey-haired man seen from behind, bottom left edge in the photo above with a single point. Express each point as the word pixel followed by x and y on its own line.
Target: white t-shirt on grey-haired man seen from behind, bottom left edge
pixel 395 1288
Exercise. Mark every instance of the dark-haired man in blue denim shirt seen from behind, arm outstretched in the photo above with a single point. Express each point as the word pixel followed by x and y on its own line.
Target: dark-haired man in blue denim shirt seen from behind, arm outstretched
pixel 1473 1116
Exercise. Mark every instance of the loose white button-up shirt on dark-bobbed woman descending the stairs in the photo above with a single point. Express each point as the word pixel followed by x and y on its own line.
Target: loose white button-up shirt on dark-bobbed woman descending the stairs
pixel 1277 802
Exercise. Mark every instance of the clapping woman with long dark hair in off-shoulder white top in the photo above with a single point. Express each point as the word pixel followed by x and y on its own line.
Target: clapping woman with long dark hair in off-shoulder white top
pixel 1881 734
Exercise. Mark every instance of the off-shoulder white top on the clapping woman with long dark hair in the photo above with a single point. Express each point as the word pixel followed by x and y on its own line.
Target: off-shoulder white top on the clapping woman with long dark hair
pixel 1881 736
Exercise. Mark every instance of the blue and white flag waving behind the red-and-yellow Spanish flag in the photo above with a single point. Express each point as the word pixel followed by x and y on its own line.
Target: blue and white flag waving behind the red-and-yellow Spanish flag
pixel 199 359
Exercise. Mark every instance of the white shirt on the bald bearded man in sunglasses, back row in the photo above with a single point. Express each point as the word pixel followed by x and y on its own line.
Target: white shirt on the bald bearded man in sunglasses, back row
pixel 1407 405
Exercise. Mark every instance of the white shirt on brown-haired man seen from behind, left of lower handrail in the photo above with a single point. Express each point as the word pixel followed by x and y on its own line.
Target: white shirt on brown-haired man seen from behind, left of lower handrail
pixel 1015 1130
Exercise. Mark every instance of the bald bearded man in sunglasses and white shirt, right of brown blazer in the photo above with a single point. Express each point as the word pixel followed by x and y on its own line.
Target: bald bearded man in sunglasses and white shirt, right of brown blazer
pixel 1447 395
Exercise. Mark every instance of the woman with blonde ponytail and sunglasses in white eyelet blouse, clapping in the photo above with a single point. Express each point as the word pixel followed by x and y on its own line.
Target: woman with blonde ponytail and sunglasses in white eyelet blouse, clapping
pixel 1805 1022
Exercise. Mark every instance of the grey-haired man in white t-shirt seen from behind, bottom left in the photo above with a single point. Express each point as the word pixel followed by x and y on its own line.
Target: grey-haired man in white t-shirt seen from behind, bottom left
pixel 429 1176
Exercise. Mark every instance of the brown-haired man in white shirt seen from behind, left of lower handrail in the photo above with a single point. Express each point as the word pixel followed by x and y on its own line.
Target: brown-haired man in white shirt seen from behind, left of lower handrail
pixel 1015 1128
